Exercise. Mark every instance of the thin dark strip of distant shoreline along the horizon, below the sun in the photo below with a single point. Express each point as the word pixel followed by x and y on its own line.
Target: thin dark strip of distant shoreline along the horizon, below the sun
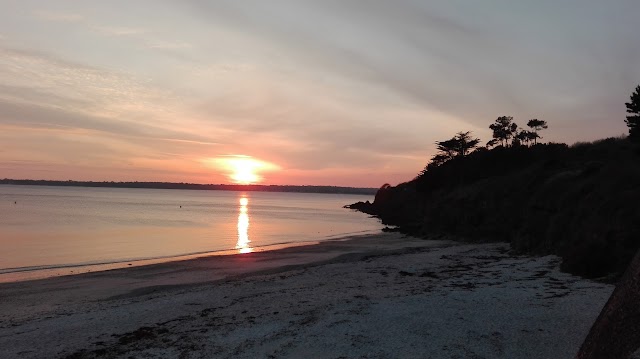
pixel 195 186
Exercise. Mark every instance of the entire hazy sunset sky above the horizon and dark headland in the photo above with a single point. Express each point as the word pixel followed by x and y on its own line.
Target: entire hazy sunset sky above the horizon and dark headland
pixel 324 92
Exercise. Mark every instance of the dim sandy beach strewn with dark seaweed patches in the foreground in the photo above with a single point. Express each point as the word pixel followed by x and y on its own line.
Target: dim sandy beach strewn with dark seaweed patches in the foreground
pixel 381 296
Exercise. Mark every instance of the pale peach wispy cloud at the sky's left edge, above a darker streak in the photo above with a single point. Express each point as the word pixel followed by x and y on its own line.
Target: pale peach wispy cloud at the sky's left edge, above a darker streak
pixel 47 91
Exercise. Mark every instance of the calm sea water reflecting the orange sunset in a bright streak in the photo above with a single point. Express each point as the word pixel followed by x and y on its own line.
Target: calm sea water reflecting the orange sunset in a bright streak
pixel 48 228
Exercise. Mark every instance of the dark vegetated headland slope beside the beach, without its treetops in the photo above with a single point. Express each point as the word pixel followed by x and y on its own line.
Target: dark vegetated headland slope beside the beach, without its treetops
pixel 580 202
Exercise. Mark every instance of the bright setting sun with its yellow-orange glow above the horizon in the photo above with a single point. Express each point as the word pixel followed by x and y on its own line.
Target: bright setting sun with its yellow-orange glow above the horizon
pixel 242 169
